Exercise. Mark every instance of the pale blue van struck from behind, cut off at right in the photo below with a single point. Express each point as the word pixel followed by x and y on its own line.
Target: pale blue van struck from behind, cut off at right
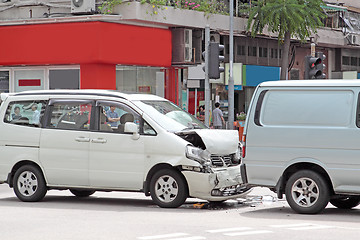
pixel 301 139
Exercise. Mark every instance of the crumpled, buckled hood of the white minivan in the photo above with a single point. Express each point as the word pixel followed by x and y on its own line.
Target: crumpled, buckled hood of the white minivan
pixel 222 142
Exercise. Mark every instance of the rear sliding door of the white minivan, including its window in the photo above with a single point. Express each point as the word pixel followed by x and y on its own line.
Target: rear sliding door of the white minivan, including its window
pixel 64 144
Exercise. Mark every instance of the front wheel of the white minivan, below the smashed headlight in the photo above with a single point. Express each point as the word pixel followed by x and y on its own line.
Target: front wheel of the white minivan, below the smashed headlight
pixel 168 189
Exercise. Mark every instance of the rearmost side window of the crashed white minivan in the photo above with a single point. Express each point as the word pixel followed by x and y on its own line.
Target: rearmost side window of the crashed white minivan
pixel 27 113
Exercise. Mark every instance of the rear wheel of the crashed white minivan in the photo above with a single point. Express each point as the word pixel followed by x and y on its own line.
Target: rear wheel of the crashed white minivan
pixel 29 184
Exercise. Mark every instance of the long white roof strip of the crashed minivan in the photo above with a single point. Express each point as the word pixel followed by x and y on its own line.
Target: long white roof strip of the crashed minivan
pixel 96 92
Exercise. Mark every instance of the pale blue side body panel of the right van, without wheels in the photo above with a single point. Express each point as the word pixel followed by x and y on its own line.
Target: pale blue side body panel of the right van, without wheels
pixel 315 125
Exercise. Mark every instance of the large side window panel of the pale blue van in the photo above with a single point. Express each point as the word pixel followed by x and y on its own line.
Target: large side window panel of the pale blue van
pixel 327 108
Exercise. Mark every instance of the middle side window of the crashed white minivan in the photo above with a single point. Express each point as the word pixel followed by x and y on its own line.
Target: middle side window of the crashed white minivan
pixel 70 115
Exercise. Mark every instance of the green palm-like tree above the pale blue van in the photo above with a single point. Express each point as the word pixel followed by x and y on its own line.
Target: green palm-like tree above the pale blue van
pixel 287 18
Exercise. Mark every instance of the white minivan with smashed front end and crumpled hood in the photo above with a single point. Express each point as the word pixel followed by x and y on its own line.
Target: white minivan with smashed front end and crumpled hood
pixel 97 140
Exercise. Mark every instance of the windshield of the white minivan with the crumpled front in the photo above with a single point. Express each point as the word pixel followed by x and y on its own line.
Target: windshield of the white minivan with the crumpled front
pixel 169 116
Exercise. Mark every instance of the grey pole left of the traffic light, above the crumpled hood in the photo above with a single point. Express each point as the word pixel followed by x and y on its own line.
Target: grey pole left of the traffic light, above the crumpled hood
pixel 207 83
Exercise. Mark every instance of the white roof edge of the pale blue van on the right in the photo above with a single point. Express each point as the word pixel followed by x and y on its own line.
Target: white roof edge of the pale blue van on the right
pixel 313 83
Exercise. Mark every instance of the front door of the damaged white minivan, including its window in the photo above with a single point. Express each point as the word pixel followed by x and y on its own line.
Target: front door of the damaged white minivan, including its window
pixel 116 158
